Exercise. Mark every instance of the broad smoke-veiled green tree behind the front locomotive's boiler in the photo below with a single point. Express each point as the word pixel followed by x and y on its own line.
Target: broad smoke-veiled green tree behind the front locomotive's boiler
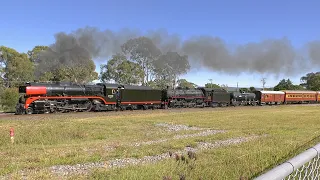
pixel 62 66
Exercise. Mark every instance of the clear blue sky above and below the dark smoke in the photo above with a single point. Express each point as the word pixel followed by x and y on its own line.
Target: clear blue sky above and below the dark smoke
pixel 25 24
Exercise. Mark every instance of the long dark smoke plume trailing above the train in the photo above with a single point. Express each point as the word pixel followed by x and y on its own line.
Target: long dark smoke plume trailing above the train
pixel 271 56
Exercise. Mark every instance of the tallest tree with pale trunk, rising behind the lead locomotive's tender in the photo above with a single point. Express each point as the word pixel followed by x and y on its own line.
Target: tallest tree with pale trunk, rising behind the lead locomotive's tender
pixel 143 52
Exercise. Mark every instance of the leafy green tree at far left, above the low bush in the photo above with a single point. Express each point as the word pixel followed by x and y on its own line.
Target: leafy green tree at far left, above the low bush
pixel 15 67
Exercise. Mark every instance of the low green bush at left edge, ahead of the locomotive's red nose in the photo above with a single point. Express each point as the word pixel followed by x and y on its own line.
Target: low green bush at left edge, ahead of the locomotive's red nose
pixel 8 99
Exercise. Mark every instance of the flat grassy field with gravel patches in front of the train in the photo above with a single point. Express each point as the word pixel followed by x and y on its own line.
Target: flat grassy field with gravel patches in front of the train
pixel 44 141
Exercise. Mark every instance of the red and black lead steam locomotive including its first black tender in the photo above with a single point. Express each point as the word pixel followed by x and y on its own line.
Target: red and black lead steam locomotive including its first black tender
pixel 66 97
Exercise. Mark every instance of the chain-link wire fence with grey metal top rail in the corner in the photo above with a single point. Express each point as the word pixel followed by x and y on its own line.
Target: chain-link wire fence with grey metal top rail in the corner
pixel 303 166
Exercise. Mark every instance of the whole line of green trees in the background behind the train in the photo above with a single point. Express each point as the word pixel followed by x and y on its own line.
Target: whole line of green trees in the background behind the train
pixel 139 62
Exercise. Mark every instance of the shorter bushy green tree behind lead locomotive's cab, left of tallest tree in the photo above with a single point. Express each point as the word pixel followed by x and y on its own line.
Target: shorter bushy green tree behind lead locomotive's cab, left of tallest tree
pixel 121 70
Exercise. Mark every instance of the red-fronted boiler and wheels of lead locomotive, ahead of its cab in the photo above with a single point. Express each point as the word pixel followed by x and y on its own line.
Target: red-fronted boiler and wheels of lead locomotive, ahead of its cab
pixel 56 97
